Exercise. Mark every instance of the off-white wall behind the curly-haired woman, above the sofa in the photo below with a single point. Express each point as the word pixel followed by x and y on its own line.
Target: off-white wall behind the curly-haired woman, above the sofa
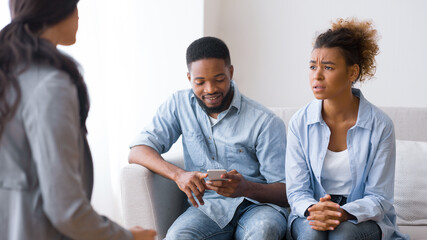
pixel 270 43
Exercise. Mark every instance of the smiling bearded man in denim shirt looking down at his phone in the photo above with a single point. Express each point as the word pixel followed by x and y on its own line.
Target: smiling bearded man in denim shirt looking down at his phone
pixel 221 129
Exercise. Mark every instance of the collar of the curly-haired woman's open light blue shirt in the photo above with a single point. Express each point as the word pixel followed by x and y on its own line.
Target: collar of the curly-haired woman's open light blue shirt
pixel 364 114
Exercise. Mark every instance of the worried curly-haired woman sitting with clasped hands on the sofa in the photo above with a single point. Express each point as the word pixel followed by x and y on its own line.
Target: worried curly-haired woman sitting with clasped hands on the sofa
pixel 341 149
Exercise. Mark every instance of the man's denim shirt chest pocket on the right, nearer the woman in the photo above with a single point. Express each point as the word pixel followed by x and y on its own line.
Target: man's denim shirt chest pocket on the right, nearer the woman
pixel 241 159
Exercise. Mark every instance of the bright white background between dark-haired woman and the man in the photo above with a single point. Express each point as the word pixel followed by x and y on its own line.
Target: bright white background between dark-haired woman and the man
pixel 133 56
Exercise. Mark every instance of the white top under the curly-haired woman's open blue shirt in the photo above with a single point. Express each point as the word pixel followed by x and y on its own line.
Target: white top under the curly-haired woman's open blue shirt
pixel 336 175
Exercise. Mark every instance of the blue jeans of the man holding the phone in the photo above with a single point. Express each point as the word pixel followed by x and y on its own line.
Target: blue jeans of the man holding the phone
pixel 251 221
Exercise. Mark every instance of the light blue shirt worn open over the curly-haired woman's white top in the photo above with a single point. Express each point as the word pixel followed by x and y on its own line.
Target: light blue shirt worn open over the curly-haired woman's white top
pixel 372 153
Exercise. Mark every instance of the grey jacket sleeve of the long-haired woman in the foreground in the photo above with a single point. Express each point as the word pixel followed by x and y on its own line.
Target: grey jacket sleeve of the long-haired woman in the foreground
pixel 51 119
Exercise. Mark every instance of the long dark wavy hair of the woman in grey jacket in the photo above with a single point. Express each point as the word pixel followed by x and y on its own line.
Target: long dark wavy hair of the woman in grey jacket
pixel 20 45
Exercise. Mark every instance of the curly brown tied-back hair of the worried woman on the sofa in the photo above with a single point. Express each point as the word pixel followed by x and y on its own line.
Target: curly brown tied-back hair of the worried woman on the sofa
pixel 358 42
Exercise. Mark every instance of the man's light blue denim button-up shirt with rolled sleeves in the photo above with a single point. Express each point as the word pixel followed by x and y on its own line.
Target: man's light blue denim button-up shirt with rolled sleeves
pixel 247 137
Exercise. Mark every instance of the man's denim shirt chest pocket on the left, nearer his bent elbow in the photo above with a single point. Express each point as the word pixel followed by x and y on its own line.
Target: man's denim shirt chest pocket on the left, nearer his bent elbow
pixel 195 146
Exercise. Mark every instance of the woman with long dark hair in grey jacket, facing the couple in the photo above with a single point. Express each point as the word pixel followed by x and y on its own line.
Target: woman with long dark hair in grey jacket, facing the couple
pixel 46 170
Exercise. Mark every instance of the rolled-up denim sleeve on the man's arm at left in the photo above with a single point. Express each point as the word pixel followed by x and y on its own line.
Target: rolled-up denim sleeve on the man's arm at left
pixel 164 129
